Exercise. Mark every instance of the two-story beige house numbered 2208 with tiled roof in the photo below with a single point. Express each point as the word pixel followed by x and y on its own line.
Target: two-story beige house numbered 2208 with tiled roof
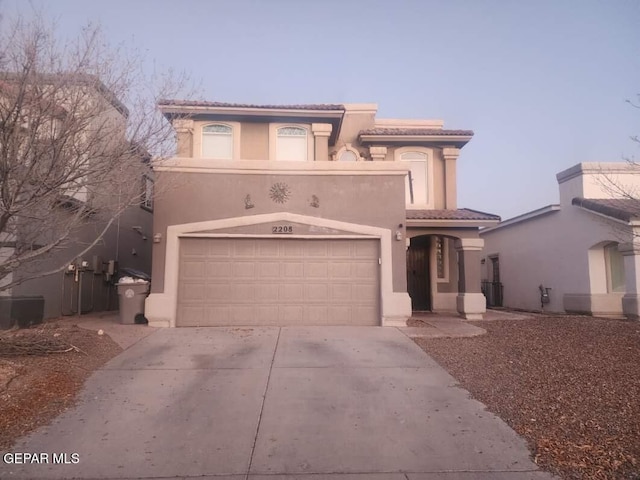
pixel 310 215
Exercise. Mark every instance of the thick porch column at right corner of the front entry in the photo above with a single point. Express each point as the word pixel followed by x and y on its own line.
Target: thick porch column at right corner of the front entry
pixel 470 301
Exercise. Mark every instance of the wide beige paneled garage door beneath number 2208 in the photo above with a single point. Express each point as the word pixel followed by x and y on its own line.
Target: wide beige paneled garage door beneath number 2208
pixel 278 282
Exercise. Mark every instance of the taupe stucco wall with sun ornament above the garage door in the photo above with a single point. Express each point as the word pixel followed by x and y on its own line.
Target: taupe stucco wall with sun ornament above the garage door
pixel 373 200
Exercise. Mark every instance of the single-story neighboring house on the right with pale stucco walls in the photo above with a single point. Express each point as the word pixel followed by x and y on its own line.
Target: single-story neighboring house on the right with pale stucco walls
pixel 581 256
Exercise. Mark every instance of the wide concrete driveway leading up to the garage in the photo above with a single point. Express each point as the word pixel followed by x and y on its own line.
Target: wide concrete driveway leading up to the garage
pixel 269 403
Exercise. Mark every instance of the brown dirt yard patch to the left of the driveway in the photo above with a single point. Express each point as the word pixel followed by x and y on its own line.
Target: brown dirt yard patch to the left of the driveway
pixel 36 386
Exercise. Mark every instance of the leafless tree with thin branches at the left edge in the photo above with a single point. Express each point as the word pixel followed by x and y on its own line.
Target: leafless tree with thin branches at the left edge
pixel 78 130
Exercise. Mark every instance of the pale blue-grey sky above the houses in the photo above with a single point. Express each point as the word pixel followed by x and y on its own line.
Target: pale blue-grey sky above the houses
pixel 543 84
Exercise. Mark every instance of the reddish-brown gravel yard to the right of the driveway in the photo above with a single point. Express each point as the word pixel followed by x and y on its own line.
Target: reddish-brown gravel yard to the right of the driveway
pixel 570 385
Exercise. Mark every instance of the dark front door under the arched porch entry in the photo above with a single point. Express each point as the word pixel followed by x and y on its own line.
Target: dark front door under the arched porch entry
pixel 418 280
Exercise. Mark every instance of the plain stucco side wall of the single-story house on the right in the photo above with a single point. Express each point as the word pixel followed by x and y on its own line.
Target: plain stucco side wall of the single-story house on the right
pixel 551 250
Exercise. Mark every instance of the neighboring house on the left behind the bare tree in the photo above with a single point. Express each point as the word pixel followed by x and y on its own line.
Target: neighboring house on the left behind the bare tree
pixel 88 280
